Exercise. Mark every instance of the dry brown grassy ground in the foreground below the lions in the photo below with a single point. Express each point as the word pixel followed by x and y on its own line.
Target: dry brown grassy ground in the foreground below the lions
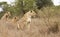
pixel 40 27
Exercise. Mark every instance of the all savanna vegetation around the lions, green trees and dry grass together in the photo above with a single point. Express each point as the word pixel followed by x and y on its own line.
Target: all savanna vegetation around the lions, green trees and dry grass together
pixel 45 24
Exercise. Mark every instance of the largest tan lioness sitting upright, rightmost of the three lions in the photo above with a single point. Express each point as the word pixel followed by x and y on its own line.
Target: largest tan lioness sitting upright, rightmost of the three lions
pixel 25 21
